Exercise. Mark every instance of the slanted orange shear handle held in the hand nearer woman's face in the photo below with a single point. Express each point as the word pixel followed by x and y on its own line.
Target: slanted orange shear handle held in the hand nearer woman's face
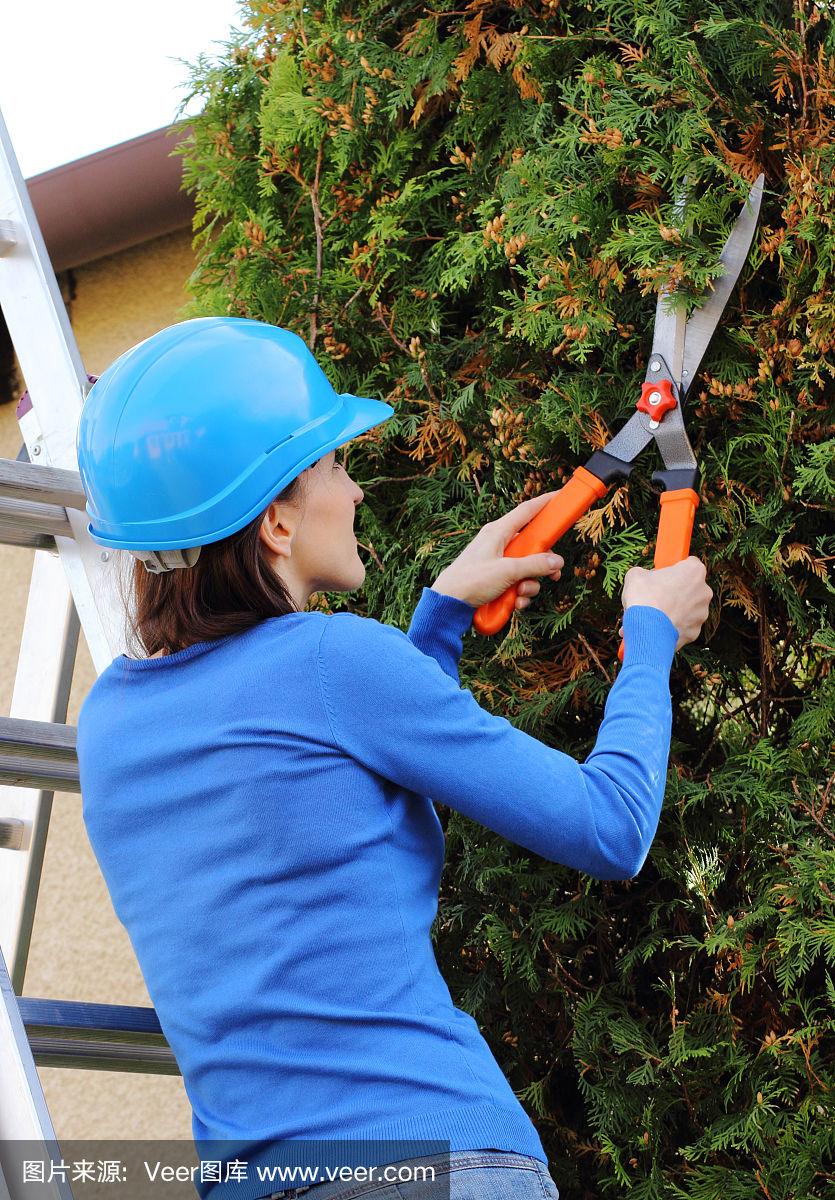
pixel 569 505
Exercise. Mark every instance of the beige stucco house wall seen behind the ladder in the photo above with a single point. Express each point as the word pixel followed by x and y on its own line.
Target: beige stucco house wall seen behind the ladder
pixel 80 951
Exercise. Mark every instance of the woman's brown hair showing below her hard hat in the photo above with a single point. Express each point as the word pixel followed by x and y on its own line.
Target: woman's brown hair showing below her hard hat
pixel 230 589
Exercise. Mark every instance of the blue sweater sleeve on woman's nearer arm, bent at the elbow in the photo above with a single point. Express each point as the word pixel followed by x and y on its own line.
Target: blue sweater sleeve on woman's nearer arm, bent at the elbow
pixel 395 711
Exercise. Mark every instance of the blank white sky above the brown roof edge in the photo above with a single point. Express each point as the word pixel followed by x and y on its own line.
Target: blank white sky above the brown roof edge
pixel 76 79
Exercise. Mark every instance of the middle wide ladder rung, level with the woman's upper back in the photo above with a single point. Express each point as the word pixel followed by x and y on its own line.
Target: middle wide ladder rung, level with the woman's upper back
pixel 39 754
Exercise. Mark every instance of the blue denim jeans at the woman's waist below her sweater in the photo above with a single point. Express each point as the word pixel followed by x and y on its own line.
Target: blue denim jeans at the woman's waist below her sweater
pixel 460 1175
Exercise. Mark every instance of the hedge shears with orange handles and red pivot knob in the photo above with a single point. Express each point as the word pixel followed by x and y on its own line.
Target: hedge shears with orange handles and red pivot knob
pixel 678 349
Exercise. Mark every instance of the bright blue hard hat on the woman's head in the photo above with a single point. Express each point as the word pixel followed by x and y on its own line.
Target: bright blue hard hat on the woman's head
pixel 190 435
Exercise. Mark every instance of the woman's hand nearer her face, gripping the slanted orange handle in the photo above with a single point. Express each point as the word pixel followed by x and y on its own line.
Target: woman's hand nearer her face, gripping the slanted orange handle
pixel 482 572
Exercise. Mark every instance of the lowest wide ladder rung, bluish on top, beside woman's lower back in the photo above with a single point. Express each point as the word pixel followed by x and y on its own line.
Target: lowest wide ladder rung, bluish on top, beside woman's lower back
pixel 97 1037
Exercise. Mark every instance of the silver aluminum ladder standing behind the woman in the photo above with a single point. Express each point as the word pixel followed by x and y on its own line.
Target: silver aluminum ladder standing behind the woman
pixel 73 586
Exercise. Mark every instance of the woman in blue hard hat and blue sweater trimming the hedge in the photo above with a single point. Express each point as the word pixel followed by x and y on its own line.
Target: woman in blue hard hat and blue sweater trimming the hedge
pixel 257 784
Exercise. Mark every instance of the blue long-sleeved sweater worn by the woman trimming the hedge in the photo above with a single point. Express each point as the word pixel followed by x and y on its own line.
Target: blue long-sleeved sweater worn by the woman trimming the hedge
pixel 261 808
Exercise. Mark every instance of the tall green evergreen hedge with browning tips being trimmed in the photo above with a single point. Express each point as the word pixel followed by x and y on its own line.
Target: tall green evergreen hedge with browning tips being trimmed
pixel 470 214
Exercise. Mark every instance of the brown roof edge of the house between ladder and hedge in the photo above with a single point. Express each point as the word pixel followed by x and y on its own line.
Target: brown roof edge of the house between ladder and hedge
pixel 112 200
